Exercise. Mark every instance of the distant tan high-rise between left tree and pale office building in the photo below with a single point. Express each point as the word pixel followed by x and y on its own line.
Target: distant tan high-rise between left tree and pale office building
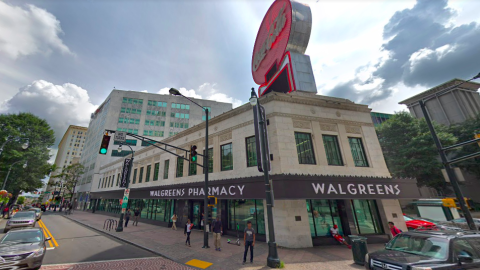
pixel 69 152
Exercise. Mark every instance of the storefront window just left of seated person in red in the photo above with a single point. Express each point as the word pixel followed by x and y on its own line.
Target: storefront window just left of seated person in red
pixel 323 214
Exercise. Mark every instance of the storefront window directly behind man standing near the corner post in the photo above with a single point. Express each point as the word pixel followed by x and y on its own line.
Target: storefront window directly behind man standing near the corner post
pixel 241 211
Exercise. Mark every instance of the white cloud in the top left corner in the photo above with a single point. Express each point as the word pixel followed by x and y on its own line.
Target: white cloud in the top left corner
pixel 28 30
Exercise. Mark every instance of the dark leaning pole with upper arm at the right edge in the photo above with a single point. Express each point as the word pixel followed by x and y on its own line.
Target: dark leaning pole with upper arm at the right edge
pixel 446 163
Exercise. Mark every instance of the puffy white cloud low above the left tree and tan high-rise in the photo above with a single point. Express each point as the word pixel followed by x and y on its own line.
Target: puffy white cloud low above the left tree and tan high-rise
pixel 60 105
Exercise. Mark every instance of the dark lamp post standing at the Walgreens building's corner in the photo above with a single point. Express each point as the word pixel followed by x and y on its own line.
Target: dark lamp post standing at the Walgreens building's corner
pixel 273 260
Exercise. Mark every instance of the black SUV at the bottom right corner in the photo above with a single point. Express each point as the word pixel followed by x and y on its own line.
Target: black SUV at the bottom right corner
pixel 428 250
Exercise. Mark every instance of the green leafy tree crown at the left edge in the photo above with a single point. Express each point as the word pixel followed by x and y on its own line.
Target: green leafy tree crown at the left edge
pixel 41 137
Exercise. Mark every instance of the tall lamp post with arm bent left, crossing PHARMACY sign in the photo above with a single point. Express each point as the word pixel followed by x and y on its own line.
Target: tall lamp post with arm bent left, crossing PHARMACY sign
pixel 175 92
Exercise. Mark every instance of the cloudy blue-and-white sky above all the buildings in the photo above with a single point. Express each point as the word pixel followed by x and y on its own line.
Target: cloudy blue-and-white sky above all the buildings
pixel 60 59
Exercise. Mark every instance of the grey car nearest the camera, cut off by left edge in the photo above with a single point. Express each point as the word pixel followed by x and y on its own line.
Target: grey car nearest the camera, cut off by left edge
pixel 23 249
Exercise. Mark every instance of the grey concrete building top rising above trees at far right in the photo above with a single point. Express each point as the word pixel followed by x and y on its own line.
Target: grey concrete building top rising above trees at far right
pixel 451 107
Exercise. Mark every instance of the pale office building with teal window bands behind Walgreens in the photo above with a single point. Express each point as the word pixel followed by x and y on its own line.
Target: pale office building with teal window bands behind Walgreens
pixel 152 115
